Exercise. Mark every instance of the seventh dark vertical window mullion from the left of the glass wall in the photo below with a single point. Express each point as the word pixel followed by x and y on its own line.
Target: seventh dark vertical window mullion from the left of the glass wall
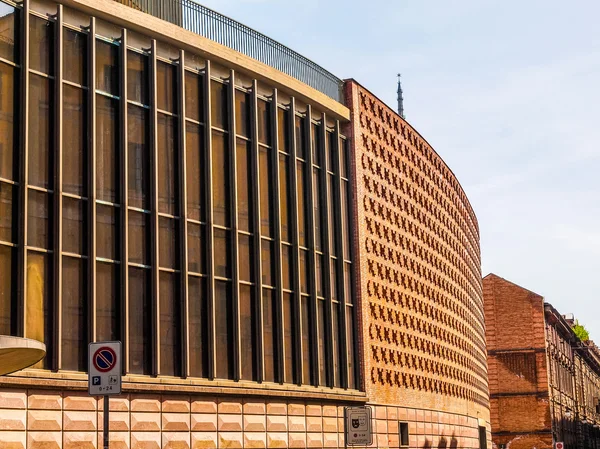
pixel 210 263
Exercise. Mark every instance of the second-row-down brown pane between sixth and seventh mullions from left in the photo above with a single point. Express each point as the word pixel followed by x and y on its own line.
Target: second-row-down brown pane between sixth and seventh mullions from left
pixel 195 165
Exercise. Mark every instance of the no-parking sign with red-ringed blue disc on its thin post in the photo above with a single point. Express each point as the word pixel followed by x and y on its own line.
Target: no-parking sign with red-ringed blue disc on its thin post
pixel 104 378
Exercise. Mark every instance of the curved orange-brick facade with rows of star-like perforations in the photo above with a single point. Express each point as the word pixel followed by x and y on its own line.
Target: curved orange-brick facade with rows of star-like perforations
pixel 420 264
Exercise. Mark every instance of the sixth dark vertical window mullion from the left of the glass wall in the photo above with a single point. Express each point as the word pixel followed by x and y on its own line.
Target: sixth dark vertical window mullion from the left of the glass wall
pixel 183 216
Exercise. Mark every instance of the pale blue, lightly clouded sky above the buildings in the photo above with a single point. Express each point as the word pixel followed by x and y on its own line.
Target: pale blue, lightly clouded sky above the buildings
pixel 506 92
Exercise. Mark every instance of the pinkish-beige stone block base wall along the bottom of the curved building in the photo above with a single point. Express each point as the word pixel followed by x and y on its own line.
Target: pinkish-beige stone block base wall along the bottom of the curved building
pixel 48 419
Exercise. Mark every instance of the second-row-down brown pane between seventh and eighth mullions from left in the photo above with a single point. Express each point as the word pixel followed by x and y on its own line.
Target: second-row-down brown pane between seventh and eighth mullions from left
pixel 221 194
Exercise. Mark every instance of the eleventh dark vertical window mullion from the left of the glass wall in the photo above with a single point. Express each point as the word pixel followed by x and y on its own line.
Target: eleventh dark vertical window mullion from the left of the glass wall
pixel 297 307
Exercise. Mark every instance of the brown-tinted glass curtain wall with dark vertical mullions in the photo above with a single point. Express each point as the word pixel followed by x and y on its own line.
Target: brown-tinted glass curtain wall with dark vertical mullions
pixel 198 224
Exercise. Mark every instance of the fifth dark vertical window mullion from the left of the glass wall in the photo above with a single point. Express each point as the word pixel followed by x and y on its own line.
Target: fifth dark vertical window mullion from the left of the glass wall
pixel 154 226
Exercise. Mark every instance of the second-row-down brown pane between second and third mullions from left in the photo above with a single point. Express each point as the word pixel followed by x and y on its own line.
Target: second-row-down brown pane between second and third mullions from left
pixel 74 140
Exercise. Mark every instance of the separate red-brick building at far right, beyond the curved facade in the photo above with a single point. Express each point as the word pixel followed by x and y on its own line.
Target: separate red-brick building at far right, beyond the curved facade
pixel 543 379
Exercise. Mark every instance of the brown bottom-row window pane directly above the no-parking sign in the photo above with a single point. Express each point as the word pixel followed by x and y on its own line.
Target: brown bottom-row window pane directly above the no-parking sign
pixel 107 302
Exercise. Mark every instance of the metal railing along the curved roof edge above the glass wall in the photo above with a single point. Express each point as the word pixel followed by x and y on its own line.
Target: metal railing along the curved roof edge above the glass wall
pixel 219 28
